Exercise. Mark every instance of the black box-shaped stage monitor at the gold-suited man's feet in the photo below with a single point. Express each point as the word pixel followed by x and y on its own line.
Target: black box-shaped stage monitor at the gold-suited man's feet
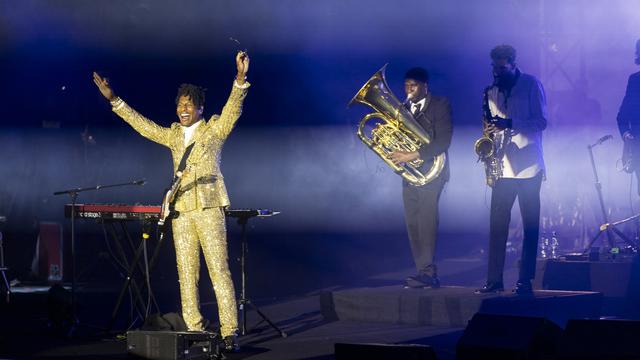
pixel 173 345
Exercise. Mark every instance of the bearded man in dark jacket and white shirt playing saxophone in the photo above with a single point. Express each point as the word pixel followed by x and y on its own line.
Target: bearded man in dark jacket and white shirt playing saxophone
pixel 517 117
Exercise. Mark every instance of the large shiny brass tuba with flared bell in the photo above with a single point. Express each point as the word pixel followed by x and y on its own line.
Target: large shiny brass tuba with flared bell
pixel 398 131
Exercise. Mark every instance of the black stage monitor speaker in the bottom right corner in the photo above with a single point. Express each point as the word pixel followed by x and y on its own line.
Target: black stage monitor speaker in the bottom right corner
pixel 601 339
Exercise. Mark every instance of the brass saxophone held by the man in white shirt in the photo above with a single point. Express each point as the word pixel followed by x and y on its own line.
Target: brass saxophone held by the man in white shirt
pixel 490 147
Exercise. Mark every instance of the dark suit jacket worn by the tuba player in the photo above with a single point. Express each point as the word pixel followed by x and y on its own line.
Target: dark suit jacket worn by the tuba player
pixel 436 120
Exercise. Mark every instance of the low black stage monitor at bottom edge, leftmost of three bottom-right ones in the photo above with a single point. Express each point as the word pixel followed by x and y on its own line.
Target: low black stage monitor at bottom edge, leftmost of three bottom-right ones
pixel 344 351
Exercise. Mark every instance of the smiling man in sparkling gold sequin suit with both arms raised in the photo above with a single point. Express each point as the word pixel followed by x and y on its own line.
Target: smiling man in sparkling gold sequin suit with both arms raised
pixel 202 196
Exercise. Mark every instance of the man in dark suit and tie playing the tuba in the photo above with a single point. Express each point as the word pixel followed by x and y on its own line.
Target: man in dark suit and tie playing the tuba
pixel 433 114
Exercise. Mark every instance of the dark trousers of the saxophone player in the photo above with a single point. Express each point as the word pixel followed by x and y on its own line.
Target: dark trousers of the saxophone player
pixel 503 196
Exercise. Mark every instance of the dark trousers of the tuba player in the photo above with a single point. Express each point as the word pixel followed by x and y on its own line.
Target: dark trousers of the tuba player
pixel 421 216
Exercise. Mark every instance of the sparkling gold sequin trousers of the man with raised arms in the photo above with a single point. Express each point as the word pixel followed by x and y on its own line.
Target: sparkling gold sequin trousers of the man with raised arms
pixel 206 228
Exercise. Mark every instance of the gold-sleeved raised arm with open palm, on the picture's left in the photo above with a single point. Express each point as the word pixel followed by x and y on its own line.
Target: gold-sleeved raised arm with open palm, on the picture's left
pixel 141 124
